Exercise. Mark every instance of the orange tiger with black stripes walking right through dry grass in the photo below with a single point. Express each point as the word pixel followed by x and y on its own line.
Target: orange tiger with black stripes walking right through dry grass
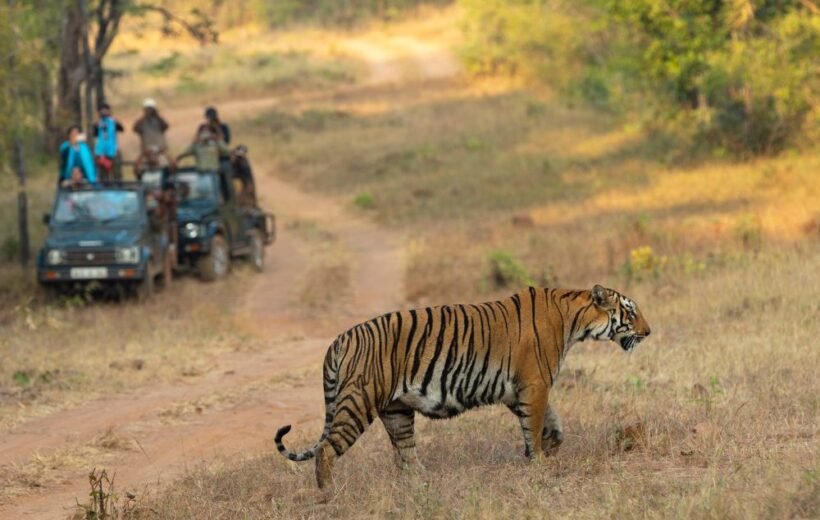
pixel 440 361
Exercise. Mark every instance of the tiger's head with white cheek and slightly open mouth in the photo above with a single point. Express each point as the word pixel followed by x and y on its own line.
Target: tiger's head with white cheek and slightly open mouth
pixel 619 319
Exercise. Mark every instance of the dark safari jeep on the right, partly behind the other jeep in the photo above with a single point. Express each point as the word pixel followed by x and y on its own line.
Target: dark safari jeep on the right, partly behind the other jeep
pixel 217 224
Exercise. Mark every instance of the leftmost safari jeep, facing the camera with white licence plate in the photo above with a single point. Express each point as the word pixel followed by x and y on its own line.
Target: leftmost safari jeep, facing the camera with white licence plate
pixel 104 237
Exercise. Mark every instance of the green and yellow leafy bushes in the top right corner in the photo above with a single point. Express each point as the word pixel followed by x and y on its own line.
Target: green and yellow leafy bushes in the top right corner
pixel 739 76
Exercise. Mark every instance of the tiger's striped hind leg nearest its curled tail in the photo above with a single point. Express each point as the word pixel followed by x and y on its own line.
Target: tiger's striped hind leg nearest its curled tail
pixel 354 412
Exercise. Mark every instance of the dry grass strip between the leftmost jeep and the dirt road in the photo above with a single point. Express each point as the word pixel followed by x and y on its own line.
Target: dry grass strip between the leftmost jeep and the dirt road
pixel 55 356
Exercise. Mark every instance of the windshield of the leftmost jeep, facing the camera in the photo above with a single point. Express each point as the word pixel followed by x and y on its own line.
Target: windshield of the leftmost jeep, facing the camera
pixel 92 207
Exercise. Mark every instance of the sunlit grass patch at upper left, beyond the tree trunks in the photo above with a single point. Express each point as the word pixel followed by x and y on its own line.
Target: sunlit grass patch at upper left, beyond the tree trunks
pixel 248 61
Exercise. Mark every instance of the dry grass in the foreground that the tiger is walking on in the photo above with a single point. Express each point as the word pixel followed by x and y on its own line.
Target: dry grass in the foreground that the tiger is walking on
pixel 711 418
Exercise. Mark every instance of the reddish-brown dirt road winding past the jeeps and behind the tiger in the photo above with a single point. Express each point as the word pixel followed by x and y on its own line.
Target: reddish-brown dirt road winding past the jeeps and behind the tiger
pixel 236 408
